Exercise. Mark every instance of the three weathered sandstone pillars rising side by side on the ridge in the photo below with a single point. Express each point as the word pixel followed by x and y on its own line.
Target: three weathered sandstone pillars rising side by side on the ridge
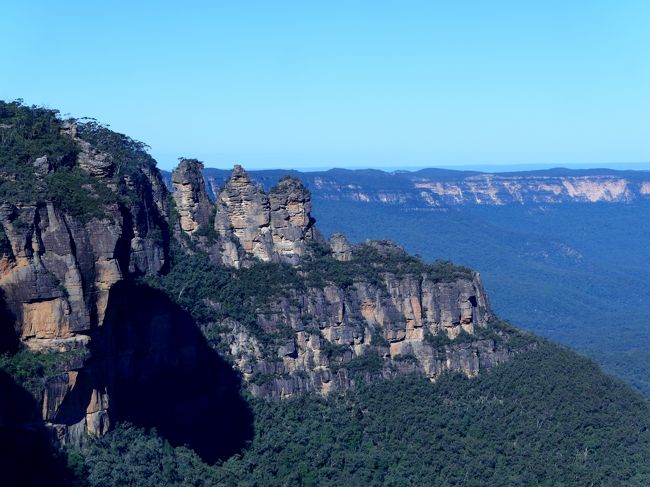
pixel 249 224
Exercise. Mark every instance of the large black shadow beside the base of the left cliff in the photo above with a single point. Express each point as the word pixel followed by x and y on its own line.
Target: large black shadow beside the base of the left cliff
pixel 161 373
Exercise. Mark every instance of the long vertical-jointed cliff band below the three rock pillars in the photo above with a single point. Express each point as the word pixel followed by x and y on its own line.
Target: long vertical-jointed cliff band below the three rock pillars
pixel 331 338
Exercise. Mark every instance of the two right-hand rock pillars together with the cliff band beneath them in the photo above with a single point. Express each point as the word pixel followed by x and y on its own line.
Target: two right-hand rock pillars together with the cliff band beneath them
pixel 393 315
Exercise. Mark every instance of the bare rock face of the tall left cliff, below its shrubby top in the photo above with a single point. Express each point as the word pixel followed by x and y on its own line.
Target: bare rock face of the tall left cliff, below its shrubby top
pixel 57 273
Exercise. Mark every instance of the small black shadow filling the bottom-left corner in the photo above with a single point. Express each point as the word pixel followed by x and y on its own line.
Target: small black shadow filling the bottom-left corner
pixel 27 456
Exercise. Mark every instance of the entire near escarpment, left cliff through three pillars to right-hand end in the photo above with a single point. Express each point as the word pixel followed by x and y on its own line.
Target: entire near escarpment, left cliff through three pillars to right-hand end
pixel 121 300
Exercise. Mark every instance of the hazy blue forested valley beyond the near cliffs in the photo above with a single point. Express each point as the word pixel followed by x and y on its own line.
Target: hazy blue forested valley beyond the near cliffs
pixel 572 272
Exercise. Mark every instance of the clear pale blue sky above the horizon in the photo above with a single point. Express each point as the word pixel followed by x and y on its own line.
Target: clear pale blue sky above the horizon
pixel 346 84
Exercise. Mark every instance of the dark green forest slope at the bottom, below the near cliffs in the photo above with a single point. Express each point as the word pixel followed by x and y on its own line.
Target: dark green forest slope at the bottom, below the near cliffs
pixel 548 417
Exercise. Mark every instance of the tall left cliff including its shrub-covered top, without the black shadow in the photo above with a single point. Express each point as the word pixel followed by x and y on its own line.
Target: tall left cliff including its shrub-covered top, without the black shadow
pixel 90 221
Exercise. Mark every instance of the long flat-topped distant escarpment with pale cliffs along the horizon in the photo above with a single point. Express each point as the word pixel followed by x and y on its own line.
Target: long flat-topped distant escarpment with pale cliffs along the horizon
pixel 440 188
